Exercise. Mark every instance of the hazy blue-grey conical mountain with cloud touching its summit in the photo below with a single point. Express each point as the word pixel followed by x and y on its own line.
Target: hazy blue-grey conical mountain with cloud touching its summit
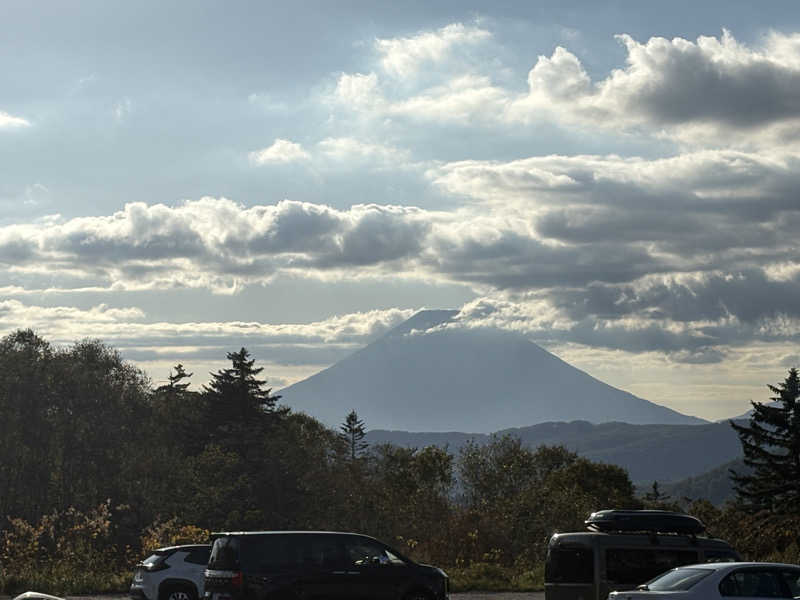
pixel 425 376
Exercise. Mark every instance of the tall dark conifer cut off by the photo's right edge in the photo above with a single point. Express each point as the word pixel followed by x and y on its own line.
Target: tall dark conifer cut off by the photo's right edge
pixel 771 445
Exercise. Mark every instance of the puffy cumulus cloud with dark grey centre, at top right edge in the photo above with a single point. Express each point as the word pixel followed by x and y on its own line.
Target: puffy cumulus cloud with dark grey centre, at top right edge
pixel 717 86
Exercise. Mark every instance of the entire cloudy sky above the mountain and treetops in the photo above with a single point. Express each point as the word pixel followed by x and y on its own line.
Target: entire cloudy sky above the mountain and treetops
pixel 616 181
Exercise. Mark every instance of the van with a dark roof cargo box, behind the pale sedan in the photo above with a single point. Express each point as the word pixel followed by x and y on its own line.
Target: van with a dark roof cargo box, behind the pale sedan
pixel 623 549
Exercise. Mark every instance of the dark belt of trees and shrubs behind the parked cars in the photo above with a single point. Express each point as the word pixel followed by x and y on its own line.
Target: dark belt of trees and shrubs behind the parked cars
pixel 98 467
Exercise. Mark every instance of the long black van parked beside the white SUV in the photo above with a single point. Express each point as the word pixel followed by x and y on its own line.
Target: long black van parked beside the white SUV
pixel 305 565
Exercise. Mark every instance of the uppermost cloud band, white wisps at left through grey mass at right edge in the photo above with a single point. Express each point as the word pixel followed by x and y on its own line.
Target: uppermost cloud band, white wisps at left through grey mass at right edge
pixel 714 90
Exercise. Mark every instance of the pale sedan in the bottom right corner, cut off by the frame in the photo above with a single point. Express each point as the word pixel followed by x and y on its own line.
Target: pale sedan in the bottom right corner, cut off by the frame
pixel 712 581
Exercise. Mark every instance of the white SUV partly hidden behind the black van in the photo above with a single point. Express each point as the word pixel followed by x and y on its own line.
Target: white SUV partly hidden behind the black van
pixel 173 573
